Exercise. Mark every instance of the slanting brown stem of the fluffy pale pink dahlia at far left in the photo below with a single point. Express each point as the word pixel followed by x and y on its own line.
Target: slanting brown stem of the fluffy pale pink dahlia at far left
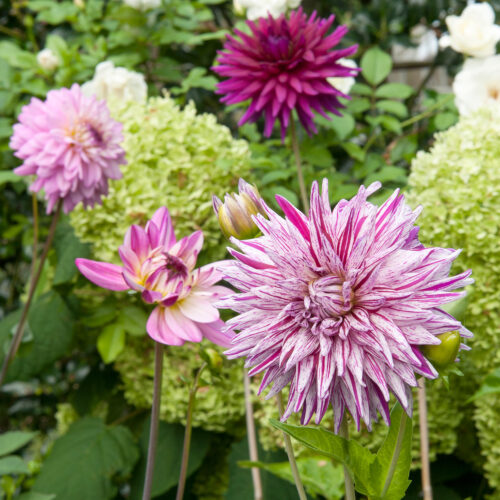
pixel 18 336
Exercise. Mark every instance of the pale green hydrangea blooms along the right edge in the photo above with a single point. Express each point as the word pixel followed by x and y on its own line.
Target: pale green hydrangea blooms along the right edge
pixel 458 184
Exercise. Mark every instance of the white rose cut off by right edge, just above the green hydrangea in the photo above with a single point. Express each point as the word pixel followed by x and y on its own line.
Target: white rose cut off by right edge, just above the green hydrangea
pixel 478 85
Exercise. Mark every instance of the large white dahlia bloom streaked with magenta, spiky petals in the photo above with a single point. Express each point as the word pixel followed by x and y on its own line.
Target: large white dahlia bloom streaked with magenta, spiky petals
pixel 338 303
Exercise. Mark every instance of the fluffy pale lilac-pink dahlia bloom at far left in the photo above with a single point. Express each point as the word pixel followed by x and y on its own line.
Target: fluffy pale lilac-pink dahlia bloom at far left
pixel 70 143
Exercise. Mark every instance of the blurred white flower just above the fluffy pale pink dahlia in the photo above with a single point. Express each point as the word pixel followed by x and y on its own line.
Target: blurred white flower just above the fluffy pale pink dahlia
pixel 116 84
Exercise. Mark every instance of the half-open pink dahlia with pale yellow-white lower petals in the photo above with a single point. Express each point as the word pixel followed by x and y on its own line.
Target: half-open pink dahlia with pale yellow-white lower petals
pixel 162 270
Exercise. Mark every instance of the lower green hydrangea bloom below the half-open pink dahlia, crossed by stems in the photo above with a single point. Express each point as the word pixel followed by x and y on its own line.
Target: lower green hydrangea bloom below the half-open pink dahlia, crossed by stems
pixel 220 404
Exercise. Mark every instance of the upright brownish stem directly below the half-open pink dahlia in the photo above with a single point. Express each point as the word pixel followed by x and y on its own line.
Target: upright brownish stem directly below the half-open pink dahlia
pixel 153 426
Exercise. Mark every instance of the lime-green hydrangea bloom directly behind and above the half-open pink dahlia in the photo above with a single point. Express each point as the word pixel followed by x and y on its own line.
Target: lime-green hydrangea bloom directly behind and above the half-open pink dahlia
pixel 176 158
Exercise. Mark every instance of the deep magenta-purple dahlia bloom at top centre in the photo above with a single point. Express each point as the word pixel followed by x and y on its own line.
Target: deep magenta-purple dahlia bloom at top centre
pixel 284 65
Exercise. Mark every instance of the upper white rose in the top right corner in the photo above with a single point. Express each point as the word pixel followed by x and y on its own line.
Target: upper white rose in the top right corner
pixel 474 32
